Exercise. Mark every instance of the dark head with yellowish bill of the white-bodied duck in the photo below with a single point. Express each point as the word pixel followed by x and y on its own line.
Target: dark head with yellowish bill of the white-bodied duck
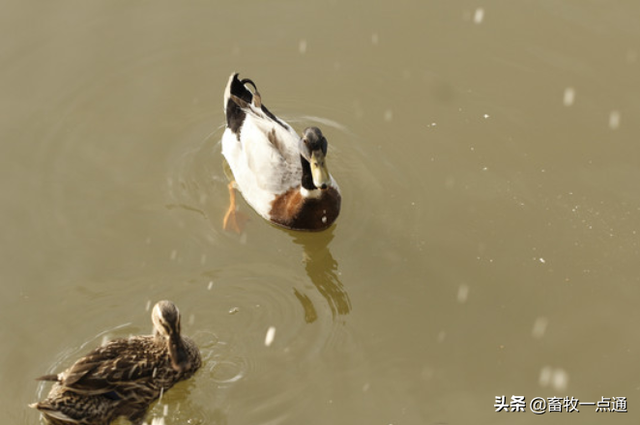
pixel 313 152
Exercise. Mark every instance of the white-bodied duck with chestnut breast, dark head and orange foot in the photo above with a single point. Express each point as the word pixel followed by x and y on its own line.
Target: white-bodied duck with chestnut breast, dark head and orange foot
pixel 283 176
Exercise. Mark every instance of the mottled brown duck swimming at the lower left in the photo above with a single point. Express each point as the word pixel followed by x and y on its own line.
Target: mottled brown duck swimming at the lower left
pixel 124 376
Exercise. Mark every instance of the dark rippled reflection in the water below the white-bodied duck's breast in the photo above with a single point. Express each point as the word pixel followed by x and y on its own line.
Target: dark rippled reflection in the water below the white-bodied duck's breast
pixel 322 269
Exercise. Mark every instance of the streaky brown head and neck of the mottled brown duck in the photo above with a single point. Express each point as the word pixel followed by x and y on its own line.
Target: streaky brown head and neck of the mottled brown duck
pixel 166 322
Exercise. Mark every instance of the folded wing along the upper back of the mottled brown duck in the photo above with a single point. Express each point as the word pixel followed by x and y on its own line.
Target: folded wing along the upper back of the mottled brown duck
pixel 119 363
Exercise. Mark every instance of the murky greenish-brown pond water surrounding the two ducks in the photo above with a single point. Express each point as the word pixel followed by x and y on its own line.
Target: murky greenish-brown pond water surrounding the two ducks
pixel 489 161
